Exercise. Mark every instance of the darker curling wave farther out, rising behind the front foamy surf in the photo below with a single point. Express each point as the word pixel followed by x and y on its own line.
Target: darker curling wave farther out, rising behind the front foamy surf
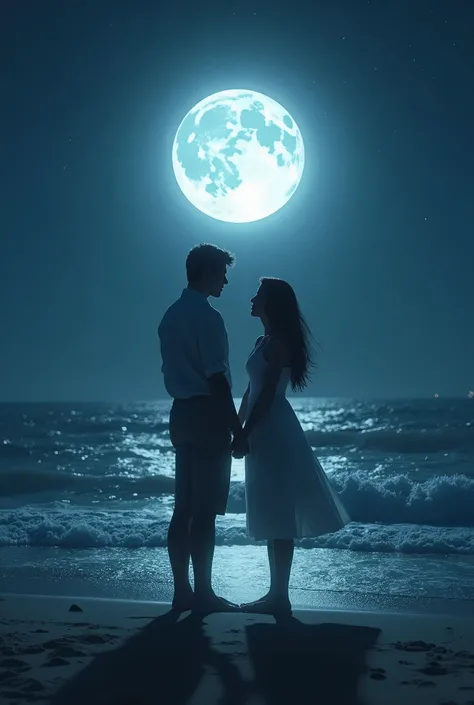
pixel 442 501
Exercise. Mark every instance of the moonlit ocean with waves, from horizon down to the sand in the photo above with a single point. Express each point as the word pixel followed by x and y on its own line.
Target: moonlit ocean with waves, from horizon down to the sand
pixel 86 497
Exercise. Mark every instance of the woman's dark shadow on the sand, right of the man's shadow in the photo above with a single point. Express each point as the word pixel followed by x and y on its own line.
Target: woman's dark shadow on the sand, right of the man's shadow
pixel 304 664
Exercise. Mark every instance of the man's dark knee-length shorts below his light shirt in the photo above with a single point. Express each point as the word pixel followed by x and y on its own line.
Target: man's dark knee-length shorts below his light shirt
pixel 203 458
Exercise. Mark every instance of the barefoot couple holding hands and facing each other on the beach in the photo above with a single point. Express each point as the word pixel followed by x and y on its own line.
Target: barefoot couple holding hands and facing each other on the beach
pixel 287 493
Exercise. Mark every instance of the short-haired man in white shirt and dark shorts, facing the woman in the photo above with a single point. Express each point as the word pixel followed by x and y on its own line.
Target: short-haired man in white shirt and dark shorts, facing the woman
pixel 195 354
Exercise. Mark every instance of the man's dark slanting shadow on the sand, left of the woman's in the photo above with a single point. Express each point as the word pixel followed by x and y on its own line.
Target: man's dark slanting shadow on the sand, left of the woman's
pixel 163 663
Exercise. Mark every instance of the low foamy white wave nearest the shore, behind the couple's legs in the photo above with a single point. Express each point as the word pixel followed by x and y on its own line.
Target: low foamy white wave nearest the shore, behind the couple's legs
pixel 137 529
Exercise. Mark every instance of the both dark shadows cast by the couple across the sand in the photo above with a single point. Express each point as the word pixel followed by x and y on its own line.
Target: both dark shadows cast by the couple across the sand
pixel 294 664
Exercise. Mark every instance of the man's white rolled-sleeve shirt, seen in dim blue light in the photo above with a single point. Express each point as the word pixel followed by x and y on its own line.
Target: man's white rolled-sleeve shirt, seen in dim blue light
pixel 194 345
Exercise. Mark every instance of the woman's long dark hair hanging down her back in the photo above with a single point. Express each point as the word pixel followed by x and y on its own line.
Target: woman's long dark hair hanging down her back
pixel 286 320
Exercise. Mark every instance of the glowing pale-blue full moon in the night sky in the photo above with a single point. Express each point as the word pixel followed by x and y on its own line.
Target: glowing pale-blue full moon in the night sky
pixel 238 156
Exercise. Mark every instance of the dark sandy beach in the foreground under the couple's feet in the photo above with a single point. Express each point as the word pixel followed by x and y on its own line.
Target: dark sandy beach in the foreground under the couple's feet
pixel 68 651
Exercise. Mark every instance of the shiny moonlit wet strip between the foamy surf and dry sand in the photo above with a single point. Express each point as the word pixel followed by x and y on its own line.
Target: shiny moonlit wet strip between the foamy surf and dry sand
pixel 321 578
